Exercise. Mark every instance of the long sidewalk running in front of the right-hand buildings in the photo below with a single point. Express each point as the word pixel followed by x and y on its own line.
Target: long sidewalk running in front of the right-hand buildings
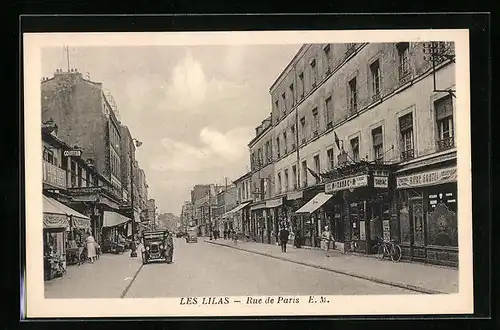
pixel 418 277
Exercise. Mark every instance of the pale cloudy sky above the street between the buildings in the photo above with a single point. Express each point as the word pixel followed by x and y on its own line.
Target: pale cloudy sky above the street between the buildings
pixel 194 108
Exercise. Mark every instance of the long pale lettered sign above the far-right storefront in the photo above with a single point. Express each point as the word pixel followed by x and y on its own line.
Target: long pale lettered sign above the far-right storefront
pixel 427 178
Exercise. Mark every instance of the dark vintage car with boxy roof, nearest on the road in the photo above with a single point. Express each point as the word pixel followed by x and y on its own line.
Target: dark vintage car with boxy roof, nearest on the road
pixel 155 247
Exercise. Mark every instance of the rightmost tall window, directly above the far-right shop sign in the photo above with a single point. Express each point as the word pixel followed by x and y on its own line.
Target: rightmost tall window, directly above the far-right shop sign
pixel 444 120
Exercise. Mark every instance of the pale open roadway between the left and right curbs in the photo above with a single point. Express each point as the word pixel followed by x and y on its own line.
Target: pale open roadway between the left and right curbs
pixel 204 269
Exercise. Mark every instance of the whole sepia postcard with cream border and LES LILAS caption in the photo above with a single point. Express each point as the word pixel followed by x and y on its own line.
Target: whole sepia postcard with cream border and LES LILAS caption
pixel 248 173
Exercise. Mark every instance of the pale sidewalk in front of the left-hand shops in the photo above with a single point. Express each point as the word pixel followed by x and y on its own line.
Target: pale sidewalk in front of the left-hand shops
pixel 107 277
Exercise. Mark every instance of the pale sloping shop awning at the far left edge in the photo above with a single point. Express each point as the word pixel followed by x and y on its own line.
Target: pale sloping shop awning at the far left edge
pixel 56 215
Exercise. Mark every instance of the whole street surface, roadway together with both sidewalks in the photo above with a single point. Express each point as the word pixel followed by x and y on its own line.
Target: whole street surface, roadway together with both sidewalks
pixel 207 269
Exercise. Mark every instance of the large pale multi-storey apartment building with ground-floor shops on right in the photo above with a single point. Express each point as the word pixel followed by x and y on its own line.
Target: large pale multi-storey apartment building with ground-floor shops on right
pixel 365 144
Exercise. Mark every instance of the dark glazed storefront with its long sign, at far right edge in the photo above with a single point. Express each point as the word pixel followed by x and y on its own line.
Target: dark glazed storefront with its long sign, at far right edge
pixel 427 209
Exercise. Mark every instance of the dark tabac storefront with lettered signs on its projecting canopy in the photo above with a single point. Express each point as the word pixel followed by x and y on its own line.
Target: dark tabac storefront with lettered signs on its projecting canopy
pixel 361 211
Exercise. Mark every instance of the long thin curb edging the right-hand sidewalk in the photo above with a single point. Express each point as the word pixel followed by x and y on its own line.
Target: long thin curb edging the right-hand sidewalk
pixel 368 278
